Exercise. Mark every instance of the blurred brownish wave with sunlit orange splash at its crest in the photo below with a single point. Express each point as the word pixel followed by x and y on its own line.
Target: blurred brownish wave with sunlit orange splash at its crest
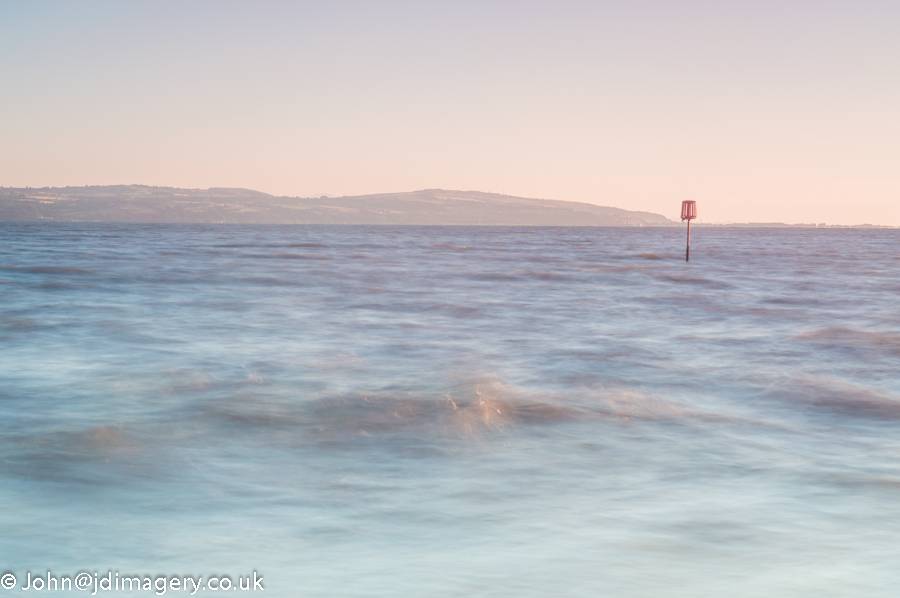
pixel 472 409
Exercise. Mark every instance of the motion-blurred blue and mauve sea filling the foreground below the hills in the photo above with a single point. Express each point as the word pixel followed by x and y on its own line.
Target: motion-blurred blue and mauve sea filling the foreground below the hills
pixel 382 411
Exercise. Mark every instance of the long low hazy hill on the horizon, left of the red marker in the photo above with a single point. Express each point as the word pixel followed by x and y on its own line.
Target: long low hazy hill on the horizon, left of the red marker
pixel 140 203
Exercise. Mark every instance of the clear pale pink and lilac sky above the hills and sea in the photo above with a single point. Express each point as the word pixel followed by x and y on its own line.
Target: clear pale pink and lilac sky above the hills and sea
pixel 760 111
